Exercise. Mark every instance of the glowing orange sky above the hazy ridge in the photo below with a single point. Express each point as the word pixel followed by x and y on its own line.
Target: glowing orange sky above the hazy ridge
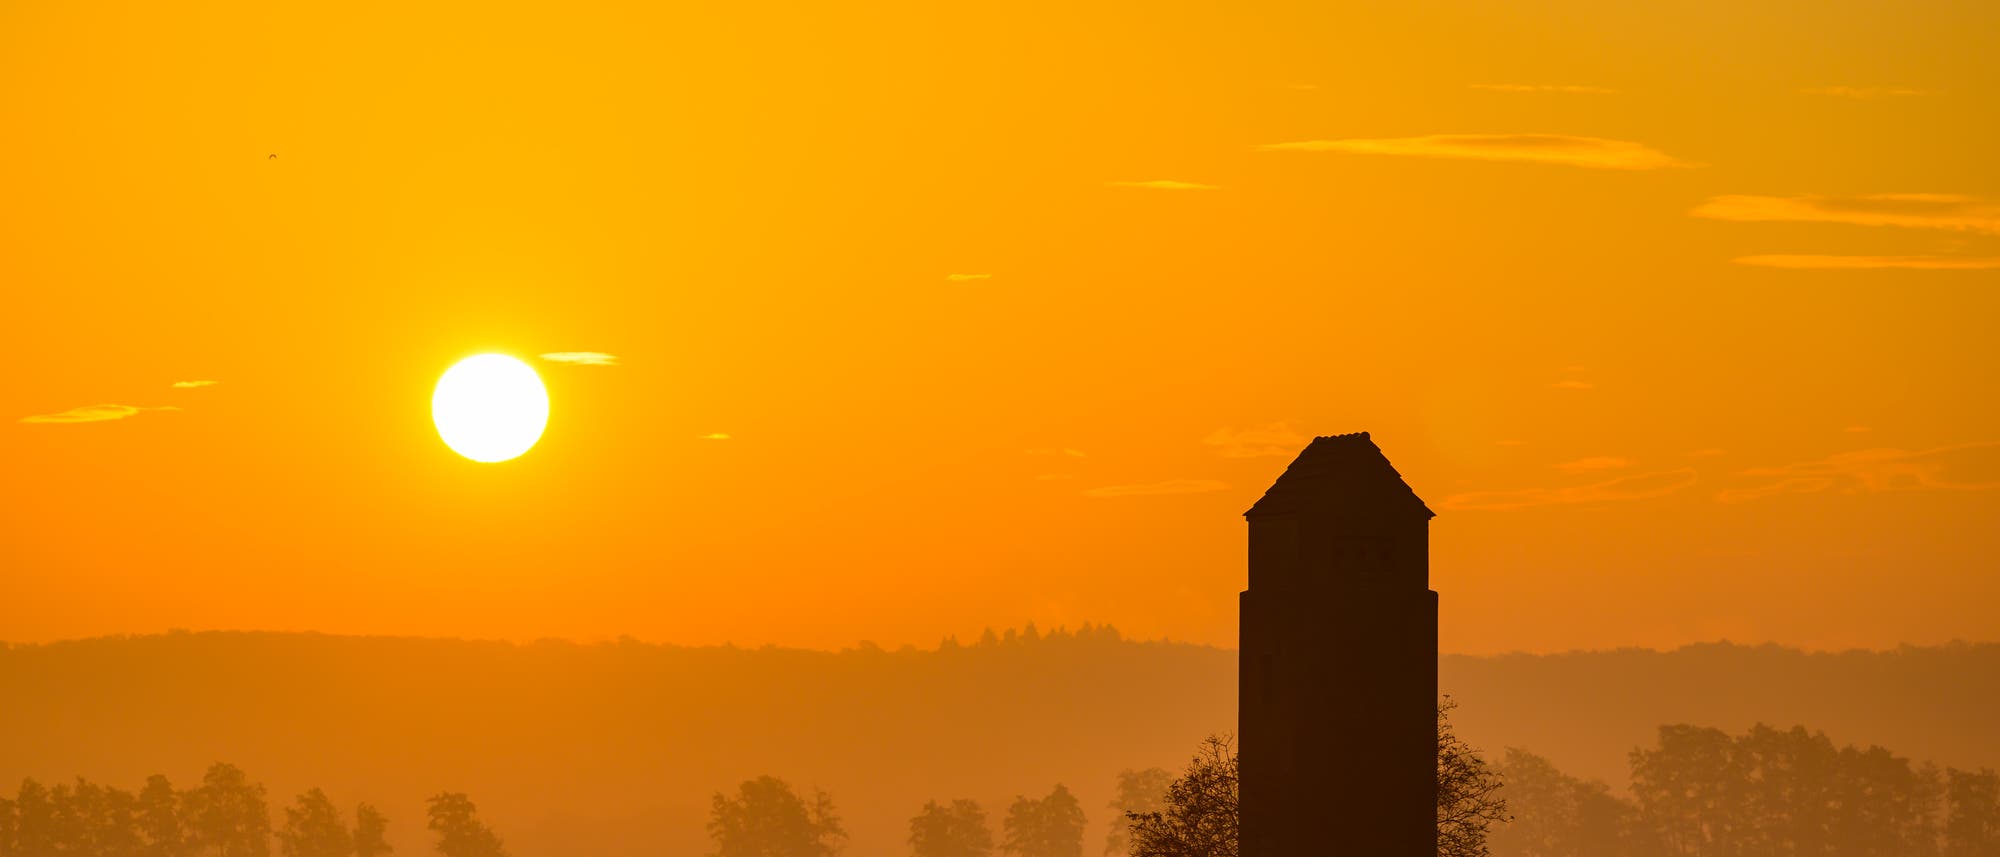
pixel 1679 315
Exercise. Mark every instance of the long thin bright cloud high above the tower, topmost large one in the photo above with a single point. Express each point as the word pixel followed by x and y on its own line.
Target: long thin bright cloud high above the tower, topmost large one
pixel 1535 149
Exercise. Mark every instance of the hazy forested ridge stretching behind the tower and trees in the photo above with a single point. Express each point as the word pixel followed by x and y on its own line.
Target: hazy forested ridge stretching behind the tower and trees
pixel 623 748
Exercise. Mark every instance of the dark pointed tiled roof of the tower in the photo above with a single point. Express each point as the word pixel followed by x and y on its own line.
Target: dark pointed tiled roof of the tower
pixel 1339 470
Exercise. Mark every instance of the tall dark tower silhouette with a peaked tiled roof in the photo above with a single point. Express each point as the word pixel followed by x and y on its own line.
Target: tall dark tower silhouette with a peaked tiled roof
pixel 1339 662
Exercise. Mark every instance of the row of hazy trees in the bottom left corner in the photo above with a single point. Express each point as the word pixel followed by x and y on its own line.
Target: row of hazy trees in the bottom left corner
pixel 227 816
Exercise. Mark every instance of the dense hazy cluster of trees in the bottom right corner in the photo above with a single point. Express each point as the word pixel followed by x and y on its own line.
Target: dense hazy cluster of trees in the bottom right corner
pixel 1763 794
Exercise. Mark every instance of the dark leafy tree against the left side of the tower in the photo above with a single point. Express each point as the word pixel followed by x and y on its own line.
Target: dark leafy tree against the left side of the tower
pixel 1201 814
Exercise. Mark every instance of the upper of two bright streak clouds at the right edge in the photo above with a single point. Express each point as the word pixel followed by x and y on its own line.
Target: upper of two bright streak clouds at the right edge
pixel 1911 211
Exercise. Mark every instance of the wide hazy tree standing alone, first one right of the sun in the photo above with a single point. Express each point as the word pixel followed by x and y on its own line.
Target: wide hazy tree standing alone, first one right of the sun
pixel 769 820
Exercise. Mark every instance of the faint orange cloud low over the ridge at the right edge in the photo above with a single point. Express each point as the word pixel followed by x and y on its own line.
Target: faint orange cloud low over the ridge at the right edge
pixel 1959 468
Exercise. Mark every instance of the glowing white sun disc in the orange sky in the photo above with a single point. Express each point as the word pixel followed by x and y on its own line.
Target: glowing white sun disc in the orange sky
pixel 491 407
